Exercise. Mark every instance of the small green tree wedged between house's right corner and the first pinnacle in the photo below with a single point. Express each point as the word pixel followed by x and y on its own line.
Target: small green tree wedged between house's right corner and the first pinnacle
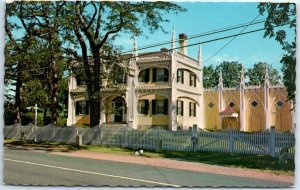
pixel 209 77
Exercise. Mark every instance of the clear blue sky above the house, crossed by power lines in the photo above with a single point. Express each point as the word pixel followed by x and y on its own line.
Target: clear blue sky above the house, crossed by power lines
pixel 202 17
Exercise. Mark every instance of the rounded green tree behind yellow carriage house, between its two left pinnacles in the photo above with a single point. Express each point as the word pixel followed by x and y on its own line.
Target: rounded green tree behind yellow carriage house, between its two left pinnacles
pixel 230 73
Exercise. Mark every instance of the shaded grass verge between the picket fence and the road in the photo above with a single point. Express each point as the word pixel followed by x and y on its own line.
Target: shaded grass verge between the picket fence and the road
pixel 259 162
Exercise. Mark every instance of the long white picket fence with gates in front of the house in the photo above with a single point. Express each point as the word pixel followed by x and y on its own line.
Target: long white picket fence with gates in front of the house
pixel 262 143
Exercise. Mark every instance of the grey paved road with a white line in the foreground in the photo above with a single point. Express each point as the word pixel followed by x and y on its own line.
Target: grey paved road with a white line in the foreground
pixel 28 167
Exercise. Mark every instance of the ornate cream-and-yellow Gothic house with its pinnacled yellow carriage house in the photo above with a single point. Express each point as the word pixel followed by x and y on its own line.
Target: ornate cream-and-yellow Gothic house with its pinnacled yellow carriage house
pixel 165 88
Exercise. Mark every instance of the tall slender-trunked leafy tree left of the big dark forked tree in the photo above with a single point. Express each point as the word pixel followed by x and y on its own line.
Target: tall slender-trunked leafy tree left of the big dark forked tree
pixel 41 20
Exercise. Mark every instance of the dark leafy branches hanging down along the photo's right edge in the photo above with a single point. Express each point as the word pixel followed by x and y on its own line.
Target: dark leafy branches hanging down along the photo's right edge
pixel 279 14
